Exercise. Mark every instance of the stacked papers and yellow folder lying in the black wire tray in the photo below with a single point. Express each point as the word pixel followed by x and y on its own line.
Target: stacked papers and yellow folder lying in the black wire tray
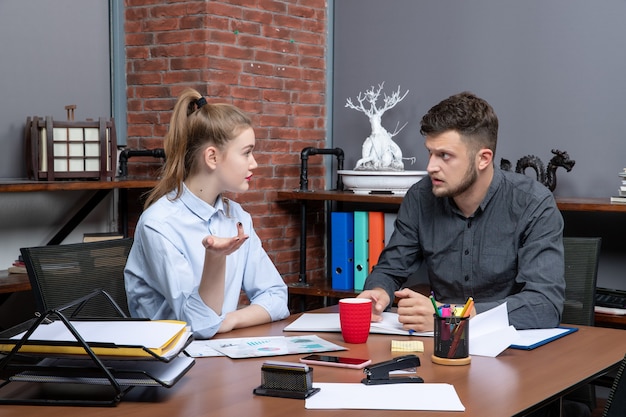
pixel 130 352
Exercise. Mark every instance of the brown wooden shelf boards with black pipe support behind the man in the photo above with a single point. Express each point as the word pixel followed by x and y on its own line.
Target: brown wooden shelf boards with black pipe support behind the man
pixel 326 290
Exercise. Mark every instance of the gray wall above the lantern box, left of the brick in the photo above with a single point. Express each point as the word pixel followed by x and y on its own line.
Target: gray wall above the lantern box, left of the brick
pixel 52 53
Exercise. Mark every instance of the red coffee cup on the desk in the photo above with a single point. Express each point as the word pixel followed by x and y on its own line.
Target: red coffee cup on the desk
pixel 355 315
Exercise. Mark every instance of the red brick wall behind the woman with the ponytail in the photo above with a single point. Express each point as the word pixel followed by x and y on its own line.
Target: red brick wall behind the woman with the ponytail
pixel 266 57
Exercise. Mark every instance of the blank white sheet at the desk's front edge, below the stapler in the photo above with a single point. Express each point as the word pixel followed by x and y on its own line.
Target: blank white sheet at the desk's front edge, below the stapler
pixel 427 397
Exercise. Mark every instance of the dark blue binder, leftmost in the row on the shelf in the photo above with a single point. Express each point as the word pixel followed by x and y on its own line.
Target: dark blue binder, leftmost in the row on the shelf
pixel 342 250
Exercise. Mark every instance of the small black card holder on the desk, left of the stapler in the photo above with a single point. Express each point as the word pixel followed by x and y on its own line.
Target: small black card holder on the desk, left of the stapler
pixel 286 380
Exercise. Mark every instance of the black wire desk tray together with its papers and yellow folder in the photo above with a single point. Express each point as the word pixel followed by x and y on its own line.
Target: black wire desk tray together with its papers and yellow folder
pixel 57 352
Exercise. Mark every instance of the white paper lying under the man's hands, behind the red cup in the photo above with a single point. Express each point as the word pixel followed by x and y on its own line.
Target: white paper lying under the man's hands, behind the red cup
pixel 329 322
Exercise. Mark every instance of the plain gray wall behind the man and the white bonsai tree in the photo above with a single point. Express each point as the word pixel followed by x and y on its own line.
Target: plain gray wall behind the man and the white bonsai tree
pixel 555 72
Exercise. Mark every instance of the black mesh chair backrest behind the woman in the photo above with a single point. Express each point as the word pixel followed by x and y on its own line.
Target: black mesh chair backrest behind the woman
pixel 61 274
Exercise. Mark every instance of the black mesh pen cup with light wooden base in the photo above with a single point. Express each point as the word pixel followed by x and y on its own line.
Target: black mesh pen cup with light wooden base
pixel 451 340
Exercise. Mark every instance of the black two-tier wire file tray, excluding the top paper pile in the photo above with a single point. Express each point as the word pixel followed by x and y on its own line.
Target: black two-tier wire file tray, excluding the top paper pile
pixel 95 381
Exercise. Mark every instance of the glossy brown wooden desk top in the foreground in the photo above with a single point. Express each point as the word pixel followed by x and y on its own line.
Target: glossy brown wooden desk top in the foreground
pixel 514 382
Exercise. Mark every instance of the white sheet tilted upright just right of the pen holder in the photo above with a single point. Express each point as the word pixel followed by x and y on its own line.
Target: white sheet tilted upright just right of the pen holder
pixel 490 332
